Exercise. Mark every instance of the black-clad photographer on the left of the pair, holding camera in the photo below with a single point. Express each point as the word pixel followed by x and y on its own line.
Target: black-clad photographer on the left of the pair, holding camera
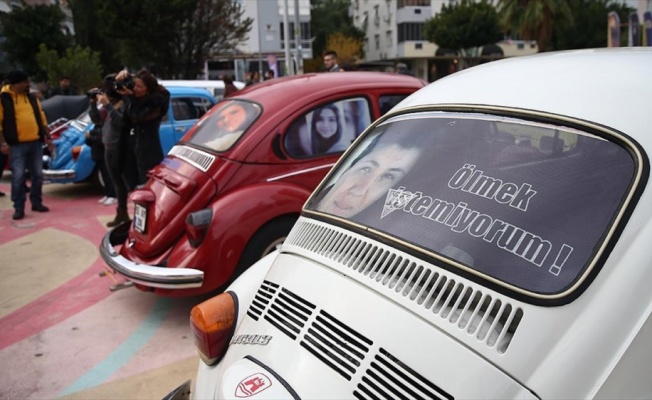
pixel 110 118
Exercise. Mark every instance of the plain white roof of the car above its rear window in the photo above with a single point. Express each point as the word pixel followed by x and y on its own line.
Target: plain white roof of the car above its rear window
pixel 610 86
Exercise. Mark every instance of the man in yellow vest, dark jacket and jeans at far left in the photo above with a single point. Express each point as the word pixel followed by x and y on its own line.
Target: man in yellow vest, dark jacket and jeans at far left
pixel 24 129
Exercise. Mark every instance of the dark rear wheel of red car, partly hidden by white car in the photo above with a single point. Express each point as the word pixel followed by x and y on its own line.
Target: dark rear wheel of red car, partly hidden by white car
pixel 264 242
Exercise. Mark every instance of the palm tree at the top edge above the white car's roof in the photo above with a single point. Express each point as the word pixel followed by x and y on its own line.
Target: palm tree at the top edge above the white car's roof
pixel 532 19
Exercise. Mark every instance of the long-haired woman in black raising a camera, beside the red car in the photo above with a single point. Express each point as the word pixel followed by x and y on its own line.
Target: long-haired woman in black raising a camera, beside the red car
pixel 146 103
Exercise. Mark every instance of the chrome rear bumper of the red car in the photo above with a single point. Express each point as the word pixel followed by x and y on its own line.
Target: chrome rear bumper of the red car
pixel 142 274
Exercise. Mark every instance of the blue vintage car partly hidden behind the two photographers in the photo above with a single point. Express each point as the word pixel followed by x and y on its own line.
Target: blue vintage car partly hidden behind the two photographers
pixel 71 159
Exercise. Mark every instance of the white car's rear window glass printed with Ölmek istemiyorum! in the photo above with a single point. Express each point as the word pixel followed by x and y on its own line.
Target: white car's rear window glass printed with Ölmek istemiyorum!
pixel 527 205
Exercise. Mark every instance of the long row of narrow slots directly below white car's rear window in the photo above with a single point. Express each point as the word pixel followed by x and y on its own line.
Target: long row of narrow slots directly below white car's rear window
pixel 486 317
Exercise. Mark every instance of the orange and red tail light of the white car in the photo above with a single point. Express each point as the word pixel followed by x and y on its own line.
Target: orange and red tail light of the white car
pixel 213 324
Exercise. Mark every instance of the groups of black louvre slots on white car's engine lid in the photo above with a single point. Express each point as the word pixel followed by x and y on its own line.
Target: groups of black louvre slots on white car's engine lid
pixel 340 347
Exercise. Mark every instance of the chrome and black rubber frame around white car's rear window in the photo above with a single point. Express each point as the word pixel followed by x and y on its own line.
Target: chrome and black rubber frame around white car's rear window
pixel 604 245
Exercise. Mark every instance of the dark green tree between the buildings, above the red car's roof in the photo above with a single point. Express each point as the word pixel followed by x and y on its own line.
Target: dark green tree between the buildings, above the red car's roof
pixel 328 17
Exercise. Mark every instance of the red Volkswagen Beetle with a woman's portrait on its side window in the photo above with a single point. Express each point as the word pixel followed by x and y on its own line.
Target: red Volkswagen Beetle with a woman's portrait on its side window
pixel 231 189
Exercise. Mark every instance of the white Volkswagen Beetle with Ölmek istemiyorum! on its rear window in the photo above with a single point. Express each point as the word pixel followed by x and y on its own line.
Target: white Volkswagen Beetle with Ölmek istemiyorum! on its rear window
pixel 488 238
